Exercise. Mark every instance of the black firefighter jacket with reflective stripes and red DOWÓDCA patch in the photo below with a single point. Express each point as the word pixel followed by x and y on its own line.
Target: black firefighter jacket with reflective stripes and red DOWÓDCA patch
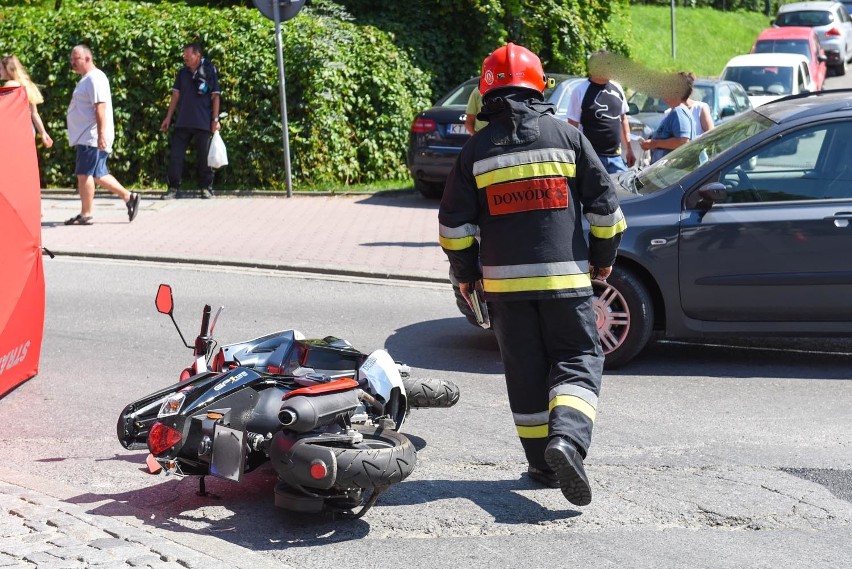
pixel 522 183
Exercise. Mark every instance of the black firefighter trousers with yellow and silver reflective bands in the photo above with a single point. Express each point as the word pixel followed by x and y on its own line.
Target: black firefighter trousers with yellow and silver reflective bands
pixel 553 363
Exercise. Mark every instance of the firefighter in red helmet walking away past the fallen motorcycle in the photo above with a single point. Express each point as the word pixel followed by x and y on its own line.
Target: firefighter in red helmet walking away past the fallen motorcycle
pixel 522 183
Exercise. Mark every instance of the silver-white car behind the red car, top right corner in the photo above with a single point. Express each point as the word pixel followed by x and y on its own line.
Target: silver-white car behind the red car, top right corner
pixel 831 22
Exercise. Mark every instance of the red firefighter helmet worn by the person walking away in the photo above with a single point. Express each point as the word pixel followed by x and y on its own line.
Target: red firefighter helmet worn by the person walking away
pixel 511 66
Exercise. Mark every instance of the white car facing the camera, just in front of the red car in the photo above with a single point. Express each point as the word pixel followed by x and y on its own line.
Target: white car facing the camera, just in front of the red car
pixel 769 76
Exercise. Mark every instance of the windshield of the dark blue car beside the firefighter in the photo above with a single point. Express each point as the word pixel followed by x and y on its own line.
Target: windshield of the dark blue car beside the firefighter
pixel 684 160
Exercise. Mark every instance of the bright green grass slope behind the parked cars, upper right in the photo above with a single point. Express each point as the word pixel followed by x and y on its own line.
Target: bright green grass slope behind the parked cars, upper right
pixel 705 39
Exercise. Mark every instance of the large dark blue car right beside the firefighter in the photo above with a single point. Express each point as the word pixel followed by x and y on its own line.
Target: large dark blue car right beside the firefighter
pixel 744 231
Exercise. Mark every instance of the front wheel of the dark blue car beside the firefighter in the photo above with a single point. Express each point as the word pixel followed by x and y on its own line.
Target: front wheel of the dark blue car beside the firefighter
pixel 625 316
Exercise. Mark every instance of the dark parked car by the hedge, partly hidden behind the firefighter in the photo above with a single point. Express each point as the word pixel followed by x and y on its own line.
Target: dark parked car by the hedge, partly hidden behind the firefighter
pixel 438 133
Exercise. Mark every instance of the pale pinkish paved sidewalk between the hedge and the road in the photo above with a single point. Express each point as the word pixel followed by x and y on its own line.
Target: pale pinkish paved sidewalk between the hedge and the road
pixel 394 234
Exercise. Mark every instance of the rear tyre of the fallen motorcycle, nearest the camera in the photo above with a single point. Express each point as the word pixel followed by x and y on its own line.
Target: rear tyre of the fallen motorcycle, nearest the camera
pixel 383 458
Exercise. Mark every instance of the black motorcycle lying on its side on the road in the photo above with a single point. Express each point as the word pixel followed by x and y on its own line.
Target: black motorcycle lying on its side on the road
pixel 326 415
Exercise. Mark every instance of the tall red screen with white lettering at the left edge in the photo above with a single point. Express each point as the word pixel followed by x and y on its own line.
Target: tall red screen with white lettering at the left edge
pixel 22 284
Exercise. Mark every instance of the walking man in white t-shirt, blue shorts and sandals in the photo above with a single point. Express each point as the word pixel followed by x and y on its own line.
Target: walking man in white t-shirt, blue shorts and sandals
pixel 91 131
